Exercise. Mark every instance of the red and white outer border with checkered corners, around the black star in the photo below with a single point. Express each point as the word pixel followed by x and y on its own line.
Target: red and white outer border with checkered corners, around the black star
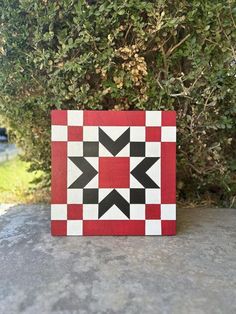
pixel 156 128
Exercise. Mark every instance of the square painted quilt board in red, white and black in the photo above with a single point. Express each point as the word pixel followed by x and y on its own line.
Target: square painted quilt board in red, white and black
pixel 113 172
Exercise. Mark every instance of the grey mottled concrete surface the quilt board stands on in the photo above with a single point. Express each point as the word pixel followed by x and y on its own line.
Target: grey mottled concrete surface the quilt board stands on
pixel 193 272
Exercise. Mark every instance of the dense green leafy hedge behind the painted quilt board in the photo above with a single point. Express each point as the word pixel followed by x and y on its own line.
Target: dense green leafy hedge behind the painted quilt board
pixel 126 55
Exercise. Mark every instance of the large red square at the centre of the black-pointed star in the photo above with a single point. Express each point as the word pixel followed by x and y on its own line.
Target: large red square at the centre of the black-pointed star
pixel 114 172
